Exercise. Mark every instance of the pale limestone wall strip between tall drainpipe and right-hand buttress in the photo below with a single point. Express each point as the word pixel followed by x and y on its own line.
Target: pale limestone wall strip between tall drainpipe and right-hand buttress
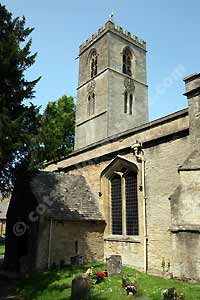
pixel 162 178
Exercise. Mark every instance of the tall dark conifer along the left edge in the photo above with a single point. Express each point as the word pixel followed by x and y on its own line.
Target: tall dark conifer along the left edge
pixel 18 122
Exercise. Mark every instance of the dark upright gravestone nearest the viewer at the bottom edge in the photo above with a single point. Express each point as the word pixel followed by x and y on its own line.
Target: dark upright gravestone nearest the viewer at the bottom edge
pixel 81 286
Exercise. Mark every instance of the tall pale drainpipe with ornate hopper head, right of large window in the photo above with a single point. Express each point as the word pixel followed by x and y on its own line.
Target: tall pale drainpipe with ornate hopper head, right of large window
pixel 139 154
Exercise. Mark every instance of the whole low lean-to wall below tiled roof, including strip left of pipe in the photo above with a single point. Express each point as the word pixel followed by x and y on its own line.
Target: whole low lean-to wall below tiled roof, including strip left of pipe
pixel 65 234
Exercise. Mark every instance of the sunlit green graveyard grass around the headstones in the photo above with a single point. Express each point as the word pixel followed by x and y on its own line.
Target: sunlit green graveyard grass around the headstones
pixel 57 285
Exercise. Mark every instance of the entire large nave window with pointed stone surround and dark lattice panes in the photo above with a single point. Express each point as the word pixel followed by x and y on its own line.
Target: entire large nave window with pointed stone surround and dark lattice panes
pixel 120 195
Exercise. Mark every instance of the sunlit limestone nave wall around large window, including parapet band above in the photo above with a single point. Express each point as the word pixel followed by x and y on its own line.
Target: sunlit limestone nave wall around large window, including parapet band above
pixel 161 171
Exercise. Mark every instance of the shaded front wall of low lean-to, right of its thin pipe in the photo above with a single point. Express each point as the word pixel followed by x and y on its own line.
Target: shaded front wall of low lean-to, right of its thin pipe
pixel 88 237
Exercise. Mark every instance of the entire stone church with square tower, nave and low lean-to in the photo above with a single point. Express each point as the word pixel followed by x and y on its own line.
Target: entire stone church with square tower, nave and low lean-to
pixel 142 178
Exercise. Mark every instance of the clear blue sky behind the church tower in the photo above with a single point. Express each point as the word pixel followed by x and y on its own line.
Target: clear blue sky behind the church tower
pixel 170 28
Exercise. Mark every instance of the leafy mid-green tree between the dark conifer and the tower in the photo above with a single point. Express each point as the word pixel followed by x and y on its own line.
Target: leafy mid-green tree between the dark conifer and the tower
pixel 56 137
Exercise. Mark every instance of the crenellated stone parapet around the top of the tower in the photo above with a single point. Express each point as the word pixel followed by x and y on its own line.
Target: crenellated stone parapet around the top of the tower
pixel 110 26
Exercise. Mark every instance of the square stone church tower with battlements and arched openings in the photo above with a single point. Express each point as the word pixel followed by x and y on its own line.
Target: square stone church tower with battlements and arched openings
pixel 112 85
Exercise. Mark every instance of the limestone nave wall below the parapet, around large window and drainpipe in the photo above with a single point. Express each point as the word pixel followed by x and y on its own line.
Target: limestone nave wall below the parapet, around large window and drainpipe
pixel 162 162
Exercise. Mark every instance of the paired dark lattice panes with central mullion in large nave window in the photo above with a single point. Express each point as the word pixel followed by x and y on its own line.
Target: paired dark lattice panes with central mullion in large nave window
pixel 124 204
